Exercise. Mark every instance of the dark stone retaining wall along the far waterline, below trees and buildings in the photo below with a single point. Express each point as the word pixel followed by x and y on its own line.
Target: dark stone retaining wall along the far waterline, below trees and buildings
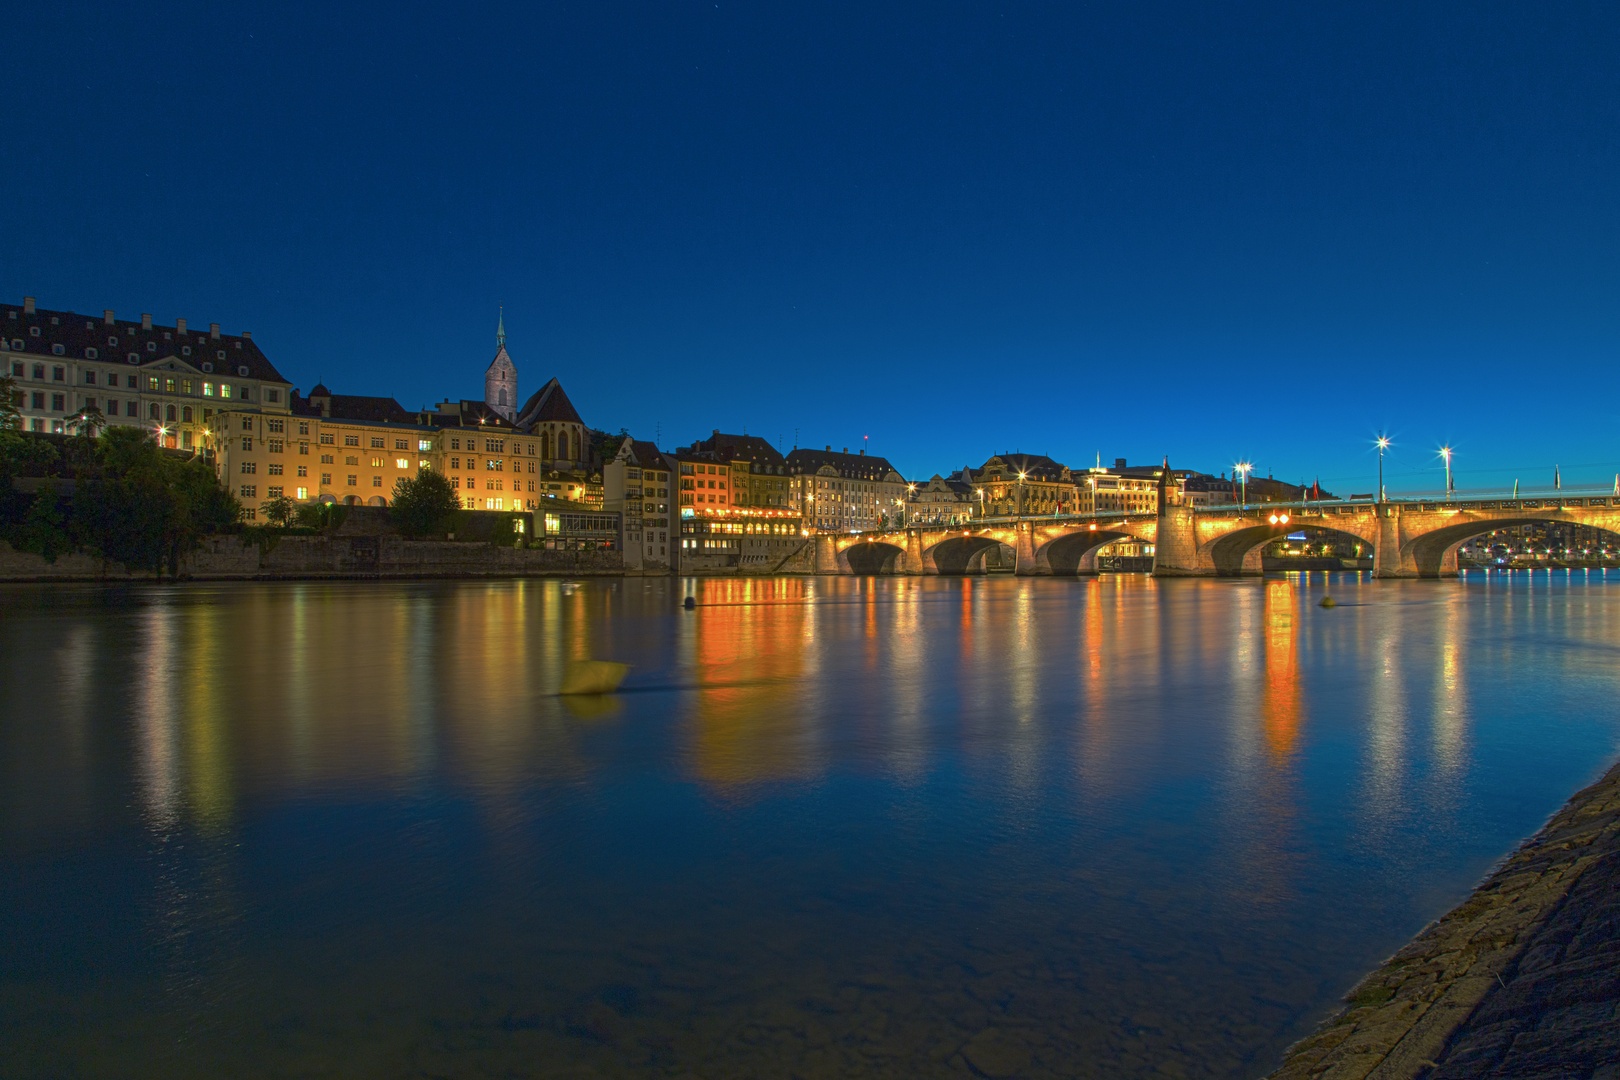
pixel 296 558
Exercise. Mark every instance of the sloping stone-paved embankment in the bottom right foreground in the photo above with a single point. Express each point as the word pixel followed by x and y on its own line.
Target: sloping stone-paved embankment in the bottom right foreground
pixel 1522 980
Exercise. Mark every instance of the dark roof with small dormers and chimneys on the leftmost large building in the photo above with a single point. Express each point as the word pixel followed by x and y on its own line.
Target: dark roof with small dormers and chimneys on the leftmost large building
pixel 80 333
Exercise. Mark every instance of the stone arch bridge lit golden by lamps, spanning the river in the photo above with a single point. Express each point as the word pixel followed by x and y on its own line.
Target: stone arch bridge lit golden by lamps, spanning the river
pixel 1413 537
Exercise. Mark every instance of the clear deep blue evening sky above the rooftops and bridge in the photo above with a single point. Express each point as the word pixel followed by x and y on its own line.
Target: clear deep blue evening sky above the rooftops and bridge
pixel 1133 229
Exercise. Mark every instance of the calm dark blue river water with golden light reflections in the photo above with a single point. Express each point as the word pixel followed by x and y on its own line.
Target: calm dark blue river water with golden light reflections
pixel 832 828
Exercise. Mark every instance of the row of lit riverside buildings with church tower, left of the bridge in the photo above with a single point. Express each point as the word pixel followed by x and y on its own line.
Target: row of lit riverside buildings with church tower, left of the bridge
pixel 723 503
